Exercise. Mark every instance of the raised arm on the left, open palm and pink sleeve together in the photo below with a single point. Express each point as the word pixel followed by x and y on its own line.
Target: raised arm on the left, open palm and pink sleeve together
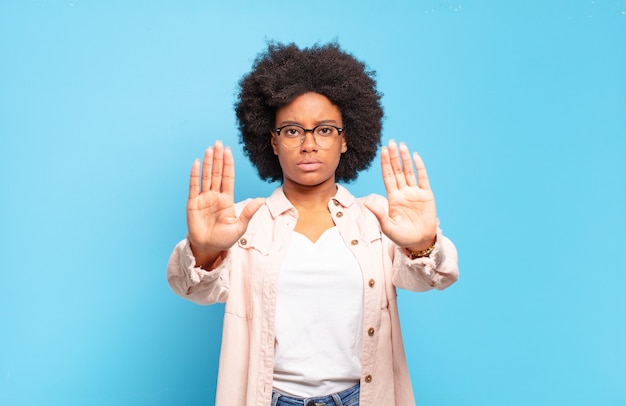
pixel 198 266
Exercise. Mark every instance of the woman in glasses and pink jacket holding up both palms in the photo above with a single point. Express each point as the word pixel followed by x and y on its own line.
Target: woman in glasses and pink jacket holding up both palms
pixel 309 274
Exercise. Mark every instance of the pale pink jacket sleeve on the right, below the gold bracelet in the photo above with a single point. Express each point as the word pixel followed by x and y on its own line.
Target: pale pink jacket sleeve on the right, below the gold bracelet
pixel 436 271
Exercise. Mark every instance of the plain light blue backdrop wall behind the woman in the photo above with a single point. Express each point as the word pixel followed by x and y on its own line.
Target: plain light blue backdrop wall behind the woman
pixel 518 108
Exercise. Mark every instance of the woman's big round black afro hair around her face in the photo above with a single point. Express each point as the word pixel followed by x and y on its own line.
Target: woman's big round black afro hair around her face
pixel 283 72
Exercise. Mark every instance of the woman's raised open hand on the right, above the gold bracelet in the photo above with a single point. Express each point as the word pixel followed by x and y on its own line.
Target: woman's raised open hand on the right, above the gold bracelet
pixel 410 220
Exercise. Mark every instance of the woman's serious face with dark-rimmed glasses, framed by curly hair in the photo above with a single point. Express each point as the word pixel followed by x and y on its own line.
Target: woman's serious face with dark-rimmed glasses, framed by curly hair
pixel 309 164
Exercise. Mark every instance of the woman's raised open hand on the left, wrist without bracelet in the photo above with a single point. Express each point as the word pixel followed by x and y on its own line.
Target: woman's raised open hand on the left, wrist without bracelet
pixel 212 221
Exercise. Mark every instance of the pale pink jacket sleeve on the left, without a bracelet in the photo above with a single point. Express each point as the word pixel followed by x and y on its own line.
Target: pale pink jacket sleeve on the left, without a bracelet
pixel 194 283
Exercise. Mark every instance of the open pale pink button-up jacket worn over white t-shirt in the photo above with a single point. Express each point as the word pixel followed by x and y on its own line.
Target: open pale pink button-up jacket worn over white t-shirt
pixel 247 281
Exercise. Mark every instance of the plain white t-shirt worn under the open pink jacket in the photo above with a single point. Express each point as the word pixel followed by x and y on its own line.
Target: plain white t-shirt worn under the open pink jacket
pixel 319 317
